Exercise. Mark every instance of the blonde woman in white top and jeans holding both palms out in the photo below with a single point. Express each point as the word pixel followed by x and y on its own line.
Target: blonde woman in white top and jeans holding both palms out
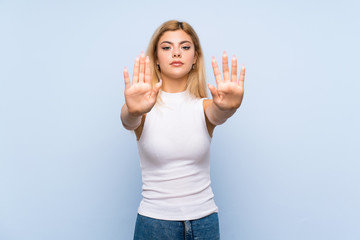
pixel 173 120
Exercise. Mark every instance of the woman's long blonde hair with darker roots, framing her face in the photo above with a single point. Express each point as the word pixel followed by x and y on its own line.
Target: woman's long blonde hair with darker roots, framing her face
pixel 196 83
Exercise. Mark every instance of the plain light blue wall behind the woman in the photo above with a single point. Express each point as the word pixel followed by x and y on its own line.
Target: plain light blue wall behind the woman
pixel 284 167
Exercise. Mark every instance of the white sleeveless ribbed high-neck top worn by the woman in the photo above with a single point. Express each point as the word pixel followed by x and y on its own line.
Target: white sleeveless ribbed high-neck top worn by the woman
pixel 174 150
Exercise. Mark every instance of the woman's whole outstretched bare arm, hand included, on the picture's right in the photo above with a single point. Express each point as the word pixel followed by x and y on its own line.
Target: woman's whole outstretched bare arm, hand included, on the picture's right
pixel 228 95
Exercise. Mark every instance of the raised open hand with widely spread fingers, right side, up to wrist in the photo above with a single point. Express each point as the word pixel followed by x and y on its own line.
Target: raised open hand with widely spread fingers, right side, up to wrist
pixel 229 92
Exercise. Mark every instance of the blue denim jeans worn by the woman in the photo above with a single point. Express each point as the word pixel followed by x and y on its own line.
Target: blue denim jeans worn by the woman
pixel 206 228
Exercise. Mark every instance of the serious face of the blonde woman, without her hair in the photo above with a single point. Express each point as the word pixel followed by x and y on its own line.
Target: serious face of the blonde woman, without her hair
pixel 176 54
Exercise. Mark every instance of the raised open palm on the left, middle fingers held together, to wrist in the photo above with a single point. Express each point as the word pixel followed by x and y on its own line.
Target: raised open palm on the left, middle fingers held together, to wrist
pixel 140 96
